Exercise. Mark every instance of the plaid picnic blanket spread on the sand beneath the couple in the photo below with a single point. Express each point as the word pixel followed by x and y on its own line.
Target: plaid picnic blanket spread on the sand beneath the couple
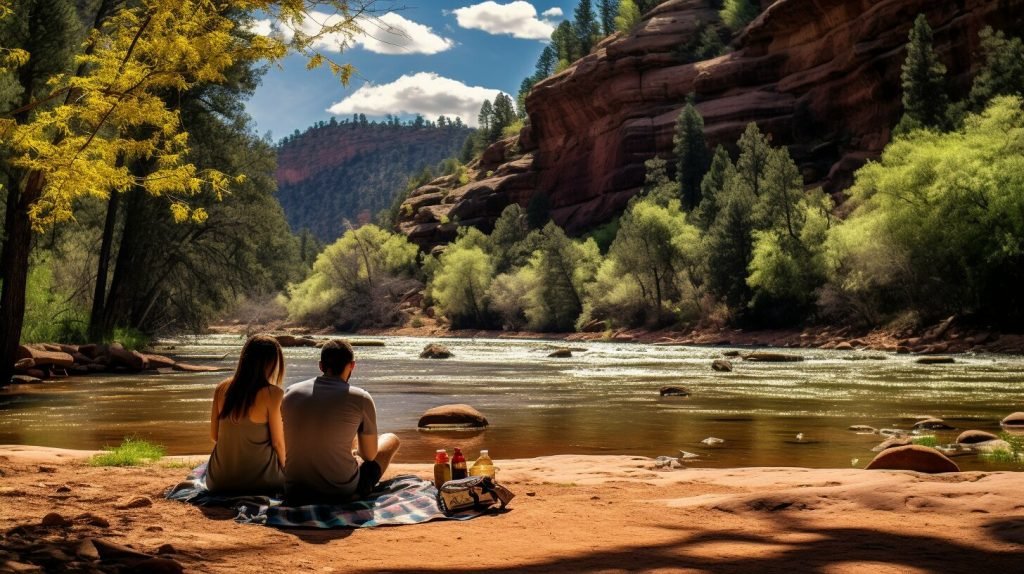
pixel 404 500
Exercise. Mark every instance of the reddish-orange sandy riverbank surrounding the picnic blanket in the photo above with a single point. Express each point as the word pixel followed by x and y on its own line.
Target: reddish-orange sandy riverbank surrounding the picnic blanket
pixel 572 514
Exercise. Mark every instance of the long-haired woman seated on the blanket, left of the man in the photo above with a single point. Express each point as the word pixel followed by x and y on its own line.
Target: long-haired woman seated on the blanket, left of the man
pixel 246 424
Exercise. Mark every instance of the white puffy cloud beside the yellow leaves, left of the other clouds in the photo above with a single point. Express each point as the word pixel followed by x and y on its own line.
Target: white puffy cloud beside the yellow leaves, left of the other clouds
pixel 389 34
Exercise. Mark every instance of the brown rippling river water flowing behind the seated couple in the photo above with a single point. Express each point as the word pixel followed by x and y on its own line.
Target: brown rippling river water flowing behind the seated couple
pixel 604 401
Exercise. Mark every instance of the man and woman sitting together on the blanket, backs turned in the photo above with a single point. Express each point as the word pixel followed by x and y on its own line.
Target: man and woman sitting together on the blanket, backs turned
pixel 300 443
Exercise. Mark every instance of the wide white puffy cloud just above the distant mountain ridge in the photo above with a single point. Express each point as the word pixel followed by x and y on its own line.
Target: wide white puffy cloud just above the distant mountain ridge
pixel 425 94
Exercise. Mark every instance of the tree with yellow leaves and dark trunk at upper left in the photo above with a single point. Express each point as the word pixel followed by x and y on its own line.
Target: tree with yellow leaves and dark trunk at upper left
pixel 76 133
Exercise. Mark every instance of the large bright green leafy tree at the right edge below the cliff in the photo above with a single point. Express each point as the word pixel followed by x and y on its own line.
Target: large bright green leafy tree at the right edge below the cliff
pixel 937 226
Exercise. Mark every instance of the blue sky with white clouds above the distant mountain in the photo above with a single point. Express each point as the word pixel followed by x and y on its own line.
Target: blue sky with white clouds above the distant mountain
pixel 450 57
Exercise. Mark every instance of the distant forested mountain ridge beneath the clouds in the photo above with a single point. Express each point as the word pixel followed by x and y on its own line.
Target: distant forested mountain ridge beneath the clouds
pixel 352 170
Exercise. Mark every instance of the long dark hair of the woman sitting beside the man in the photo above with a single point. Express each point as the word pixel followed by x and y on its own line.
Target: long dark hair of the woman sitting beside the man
pixel 250 377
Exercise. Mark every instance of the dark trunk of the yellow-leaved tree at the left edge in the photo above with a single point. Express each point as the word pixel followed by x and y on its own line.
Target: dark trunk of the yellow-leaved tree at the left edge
pixel 15 260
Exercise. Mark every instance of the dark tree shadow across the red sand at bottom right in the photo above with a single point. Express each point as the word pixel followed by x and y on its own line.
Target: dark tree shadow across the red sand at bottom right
pixel 794 548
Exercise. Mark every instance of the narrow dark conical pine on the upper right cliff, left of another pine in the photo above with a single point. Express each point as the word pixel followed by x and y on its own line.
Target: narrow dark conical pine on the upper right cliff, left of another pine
pixel 925 99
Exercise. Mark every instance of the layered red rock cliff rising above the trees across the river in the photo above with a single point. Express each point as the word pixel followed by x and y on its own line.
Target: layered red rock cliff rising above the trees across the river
pixel 821 77
